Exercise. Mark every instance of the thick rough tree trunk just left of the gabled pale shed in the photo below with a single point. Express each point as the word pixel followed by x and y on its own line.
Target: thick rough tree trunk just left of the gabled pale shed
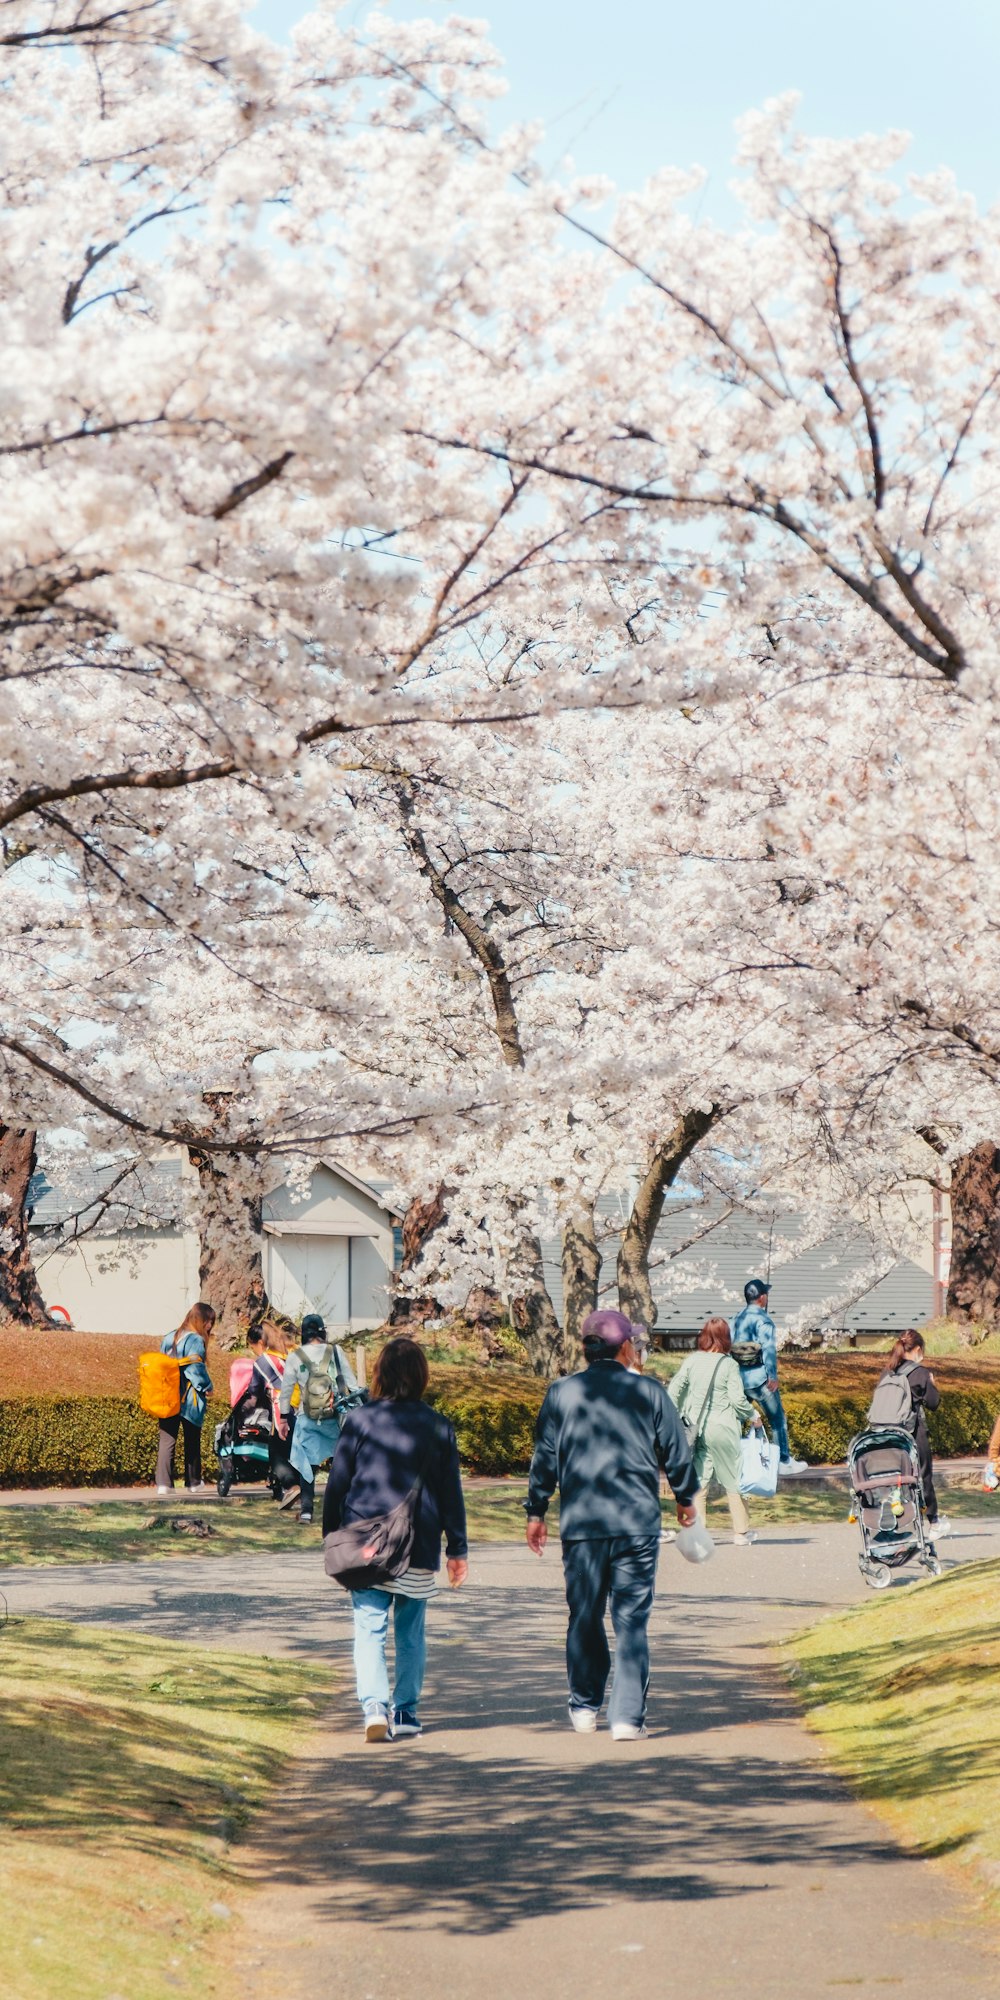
pixel 231 1267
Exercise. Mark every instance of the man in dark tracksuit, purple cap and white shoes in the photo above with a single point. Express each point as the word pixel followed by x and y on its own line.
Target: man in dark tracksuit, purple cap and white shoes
pixel 603 1439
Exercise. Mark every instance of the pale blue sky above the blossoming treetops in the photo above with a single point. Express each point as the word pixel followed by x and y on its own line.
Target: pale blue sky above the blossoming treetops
pixel 641 85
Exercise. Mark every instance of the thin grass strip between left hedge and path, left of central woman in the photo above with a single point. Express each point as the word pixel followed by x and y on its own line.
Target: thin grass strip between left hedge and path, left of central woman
pixel 119 1531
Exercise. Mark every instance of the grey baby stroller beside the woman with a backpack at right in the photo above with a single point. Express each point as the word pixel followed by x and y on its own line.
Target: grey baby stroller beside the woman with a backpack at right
pixel 885 1479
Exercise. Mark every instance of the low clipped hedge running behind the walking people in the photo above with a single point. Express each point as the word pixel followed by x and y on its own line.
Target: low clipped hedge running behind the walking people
pixel 109 1441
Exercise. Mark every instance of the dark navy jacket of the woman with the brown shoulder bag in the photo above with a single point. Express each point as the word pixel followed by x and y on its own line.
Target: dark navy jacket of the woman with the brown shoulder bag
pixel 379 1459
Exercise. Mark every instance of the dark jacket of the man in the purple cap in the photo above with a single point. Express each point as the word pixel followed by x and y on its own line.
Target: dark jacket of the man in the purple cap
pixel 603 1439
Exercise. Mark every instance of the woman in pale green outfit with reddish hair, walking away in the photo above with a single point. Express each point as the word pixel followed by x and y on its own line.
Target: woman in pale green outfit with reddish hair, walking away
pixel 709 1395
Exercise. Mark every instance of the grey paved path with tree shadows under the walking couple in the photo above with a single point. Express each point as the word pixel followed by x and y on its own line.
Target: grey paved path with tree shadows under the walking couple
pixel 503 1857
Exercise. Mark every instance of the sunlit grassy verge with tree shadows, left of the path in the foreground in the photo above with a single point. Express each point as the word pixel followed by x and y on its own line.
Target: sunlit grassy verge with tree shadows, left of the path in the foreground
pixel 127 1771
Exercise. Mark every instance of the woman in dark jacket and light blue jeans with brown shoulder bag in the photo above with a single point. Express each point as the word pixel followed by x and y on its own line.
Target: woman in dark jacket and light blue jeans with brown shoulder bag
pixel 383 1451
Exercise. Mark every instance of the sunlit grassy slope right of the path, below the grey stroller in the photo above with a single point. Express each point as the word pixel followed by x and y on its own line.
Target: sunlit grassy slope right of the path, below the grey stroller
pixel 903 1695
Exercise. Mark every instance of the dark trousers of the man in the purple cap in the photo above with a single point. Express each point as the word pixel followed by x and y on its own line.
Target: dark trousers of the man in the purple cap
pixel 619 1573
